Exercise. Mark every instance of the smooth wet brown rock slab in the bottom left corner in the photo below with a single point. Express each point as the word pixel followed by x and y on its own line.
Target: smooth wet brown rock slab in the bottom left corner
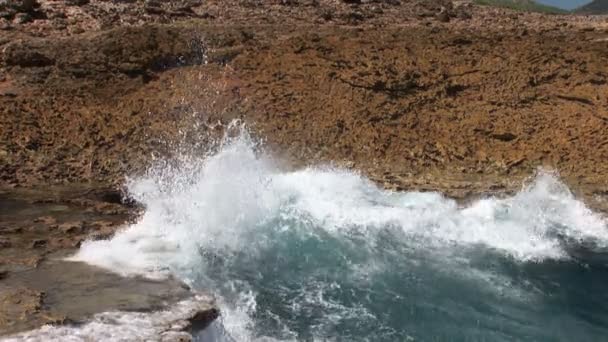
pixel 74 290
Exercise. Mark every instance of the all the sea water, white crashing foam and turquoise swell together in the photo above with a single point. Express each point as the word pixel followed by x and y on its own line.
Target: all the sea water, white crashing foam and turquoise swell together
pixel 323 254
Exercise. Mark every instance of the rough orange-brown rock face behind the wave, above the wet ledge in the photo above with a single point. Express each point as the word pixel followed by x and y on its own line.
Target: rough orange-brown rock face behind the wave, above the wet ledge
pixel 347 94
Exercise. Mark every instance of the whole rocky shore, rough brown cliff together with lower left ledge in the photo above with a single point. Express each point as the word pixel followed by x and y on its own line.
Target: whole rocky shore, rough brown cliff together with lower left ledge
pixel 417 95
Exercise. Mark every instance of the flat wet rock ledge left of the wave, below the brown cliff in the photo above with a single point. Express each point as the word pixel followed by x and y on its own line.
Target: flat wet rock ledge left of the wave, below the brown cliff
pixel 39 229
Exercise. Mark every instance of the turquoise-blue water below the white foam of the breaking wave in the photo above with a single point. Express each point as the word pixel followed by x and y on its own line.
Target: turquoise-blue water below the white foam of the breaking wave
pixel 309 288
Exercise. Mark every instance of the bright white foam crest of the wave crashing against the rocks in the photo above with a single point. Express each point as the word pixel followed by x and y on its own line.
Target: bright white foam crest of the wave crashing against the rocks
pixel 214 205
